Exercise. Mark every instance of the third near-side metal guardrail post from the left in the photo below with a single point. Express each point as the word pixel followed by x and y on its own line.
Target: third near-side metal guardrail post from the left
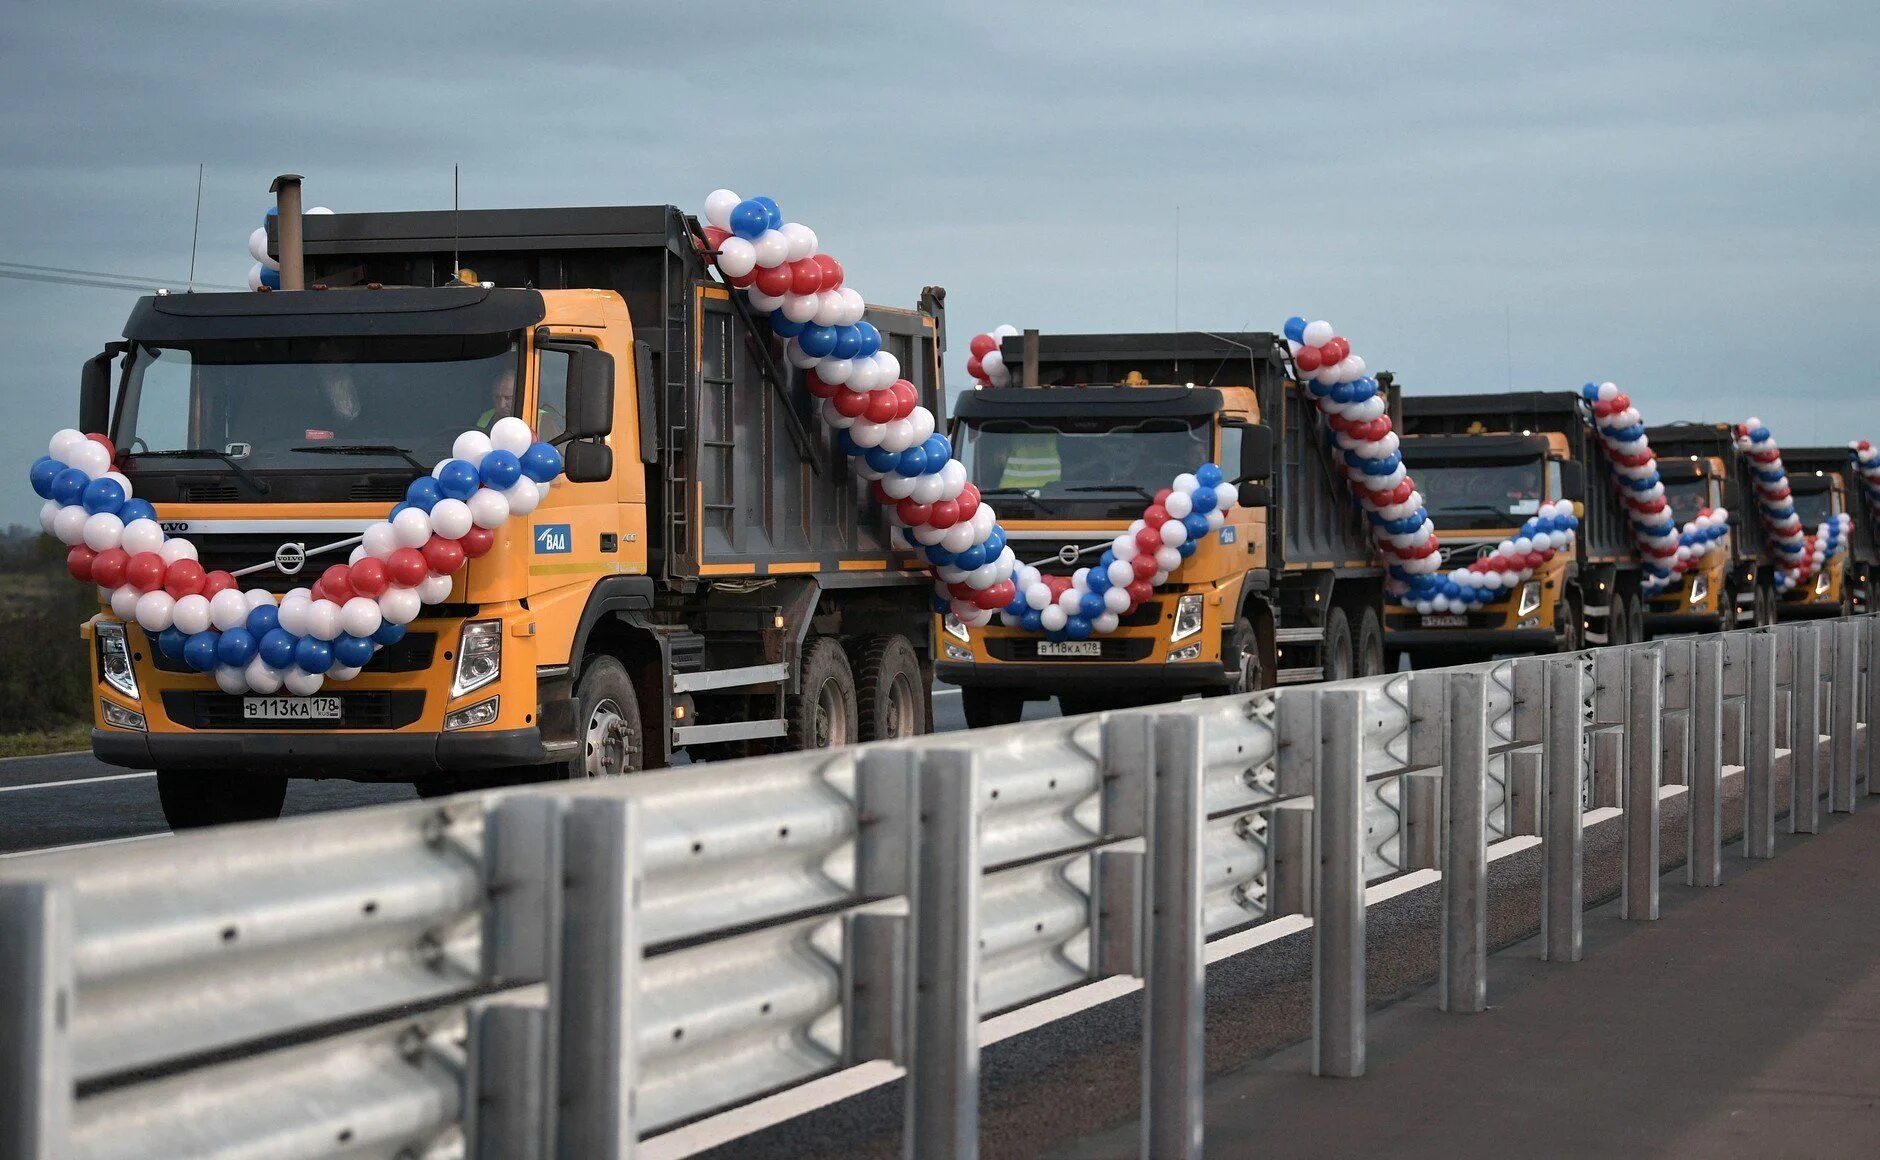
pixel 943 1095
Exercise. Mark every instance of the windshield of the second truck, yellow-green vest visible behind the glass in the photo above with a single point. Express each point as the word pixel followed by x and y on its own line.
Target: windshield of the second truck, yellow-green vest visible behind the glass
pixel 1080 460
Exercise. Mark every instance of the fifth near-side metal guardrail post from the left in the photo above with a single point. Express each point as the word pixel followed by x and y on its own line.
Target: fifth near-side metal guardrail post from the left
pixel 1339 888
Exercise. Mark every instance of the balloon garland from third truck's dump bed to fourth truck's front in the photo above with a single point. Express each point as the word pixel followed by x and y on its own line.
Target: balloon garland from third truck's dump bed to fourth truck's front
pixel 1668 550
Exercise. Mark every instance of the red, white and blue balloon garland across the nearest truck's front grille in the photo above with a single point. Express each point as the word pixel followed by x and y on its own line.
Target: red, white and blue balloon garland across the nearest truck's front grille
pixel 249 640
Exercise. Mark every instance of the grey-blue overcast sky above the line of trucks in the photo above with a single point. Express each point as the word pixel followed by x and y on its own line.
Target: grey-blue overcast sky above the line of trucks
pixel 1680 196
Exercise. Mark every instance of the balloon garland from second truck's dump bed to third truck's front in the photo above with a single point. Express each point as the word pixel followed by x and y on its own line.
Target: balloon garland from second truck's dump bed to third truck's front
pixel 1366 450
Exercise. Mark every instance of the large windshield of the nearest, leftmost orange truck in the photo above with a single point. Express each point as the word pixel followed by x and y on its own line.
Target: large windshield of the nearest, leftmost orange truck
pixel 257 401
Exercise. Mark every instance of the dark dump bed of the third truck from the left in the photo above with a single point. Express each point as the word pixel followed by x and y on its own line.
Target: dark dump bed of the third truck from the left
pixel 1605 533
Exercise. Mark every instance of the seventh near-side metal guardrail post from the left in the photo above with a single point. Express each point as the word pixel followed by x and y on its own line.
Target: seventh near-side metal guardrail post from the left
pixel 1563 853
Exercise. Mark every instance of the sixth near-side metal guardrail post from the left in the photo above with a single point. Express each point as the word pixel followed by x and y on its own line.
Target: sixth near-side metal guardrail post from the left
pixel 1465 847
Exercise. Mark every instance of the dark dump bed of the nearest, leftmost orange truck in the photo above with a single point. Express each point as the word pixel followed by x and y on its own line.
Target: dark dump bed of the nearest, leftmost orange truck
pixel 740 473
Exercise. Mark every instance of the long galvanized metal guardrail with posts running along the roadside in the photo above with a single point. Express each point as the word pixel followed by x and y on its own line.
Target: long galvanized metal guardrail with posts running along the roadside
pixel 567 971
